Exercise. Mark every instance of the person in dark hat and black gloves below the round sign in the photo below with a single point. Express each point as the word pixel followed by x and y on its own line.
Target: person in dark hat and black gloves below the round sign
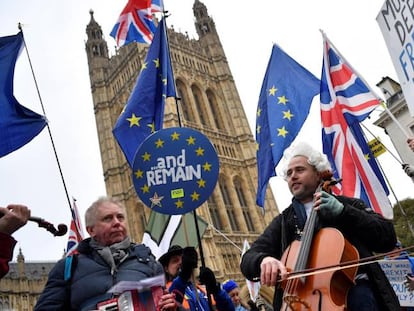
pixel 189 295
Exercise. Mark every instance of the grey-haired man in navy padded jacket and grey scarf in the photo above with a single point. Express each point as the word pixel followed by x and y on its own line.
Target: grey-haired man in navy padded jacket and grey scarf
pixel 104 259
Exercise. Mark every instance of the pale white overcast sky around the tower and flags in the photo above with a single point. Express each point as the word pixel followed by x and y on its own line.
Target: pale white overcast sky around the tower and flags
pixel 55 35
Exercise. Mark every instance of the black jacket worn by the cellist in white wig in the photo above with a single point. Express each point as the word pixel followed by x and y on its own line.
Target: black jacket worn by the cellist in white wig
pixel 368 231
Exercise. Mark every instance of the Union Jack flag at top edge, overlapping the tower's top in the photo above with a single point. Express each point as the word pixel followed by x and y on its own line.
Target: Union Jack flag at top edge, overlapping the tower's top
pixel 135 22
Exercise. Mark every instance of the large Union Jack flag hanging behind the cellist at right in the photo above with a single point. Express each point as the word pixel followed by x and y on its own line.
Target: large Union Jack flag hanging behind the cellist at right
pixel 346 101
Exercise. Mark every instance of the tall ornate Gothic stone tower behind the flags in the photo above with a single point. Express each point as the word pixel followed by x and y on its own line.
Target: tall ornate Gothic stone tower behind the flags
pixel 210 103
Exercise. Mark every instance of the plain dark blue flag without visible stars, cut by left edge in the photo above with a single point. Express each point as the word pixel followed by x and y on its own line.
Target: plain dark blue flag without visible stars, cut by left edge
pixel 18 124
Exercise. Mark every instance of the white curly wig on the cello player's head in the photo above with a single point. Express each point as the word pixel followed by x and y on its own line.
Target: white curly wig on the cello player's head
pixel 315 158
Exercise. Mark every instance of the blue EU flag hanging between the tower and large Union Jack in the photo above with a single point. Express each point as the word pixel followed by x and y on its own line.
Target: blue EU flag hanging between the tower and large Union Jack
pixel 284 103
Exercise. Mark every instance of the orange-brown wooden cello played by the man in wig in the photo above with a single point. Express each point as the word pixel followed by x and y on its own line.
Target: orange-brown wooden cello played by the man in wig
pixel 327 246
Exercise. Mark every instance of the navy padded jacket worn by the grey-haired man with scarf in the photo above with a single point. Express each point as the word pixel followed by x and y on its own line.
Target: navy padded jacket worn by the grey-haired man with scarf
pixel 92 277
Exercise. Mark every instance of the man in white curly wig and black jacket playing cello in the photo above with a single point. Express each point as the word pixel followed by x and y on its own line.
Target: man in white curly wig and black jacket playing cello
pixel 367 231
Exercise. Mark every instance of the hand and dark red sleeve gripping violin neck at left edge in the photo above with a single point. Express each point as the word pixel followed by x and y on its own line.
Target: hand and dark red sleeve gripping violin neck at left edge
pixel 13 217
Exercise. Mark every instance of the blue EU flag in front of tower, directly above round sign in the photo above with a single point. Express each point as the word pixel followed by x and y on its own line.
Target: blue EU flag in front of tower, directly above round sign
pixel 144 111
